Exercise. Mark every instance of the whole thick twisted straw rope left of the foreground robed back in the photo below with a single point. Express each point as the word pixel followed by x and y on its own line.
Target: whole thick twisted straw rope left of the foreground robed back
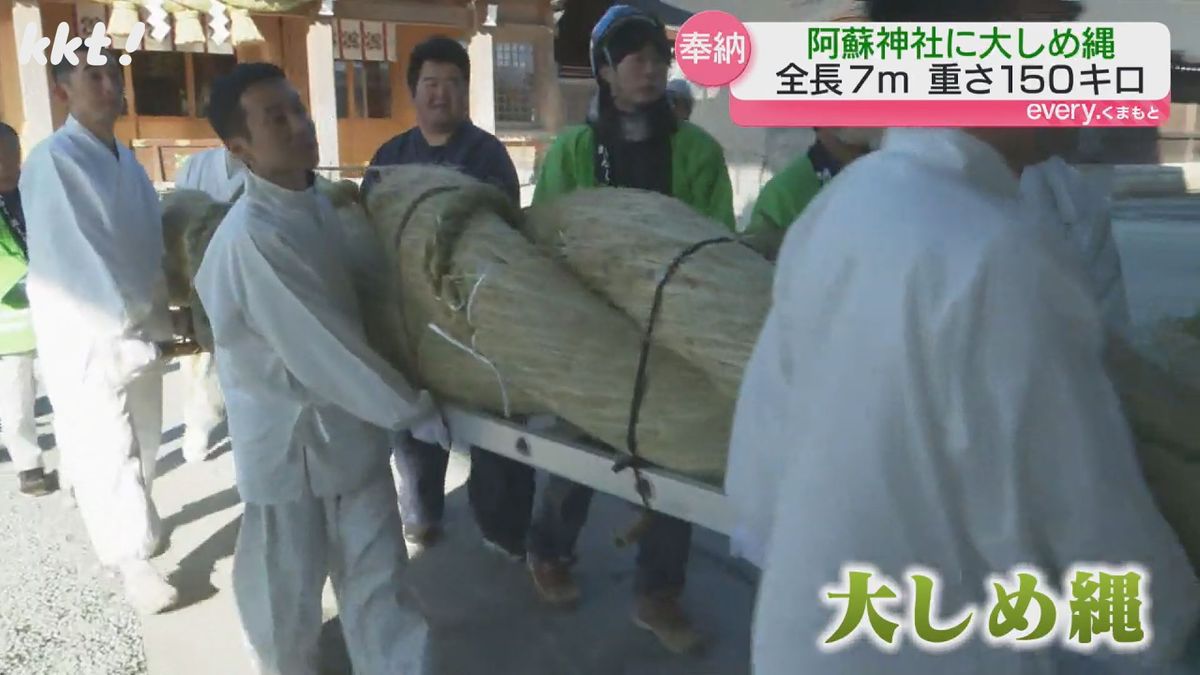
pixel 542 315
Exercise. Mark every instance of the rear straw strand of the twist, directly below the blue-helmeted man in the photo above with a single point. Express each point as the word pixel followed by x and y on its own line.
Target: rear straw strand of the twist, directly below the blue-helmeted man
pixel 715 304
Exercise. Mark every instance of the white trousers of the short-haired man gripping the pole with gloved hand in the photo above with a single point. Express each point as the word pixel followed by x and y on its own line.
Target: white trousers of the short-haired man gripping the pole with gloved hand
pixel 285 554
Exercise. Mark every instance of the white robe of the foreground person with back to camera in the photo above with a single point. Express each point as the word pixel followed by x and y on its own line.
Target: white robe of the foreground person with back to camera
pixel 929 391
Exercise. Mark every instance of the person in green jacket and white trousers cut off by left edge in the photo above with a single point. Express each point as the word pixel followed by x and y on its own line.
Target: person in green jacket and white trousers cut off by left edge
pixel 19 391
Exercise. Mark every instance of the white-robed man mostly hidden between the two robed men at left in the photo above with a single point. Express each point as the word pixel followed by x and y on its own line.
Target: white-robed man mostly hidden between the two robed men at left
pixel 224 178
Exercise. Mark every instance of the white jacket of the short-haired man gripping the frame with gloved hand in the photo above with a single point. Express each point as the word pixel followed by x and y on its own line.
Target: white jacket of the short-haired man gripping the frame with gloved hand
pixel 309 401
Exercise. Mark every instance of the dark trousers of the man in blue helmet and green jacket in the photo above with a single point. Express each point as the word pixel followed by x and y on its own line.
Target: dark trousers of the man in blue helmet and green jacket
pixel 662 551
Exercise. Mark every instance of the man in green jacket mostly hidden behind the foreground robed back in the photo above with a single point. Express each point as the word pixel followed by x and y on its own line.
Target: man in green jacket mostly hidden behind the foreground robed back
pixel 789 193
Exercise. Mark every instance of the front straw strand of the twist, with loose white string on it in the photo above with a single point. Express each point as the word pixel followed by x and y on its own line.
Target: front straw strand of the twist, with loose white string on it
pixel 470 279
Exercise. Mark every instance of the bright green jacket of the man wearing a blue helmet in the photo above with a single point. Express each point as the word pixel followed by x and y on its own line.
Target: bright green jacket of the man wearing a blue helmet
pixel 699 176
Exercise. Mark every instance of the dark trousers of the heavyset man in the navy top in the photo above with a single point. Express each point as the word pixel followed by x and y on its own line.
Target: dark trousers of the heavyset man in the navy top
pixel 501 491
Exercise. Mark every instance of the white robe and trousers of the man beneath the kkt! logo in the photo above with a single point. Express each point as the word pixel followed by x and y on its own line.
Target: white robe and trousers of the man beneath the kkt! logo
pixel 99 302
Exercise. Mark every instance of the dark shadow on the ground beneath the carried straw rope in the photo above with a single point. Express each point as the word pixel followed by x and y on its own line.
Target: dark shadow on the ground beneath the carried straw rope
pixel 487 620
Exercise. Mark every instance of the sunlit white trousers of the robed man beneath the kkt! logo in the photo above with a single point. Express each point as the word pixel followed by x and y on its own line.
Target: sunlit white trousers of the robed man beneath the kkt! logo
pixel 110 440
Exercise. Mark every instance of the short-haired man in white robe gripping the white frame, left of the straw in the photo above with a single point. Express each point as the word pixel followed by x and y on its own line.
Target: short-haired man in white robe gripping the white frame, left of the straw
pixel 311 405
